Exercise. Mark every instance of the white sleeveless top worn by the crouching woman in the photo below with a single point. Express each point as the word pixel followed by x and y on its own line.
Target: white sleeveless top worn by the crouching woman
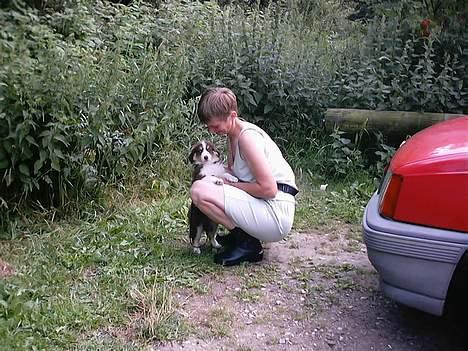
pixel 281 170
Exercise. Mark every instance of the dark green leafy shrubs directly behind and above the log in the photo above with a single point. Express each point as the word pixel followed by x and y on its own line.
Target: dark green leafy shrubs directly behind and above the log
pixel 401 69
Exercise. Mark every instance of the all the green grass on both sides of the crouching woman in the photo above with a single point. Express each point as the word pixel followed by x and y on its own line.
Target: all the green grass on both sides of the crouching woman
pixel 108 281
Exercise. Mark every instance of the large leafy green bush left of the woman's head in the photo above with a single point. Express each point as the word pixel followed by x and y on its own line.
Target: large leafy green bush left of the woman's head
pixel 82 105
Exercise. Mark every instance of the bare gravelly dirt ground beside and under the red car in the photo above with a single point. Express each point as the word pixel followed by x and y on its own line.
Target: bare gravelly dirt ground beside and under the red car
pixel 314 291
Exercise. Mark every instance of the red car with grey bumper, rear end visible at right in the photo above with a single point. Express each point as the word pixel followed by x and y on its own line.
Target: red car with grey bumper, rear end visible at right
pixel 415 226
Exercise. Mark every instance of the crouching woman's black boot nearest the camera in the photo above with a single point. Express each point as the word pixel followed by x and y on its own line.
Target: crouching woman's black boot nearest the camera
pixel 245 249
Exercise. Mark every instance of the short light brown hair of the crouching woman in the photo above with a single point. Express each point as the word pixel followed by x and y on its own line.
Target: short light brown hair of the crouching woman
pixel 216 102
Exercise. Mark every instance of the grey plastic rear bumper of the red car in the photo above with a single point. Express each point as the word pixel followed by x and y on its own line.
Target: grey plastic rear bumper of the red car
pixel 415 263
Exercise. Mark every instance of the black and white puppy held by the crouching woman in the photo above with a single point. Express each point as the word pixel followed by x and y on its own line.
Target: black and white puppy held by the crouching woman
pixel 207 166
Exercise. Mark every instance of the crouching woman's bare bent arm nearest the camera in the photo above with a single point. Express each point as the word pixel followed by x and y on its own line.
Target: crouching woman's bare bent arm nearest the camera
pixel 252 152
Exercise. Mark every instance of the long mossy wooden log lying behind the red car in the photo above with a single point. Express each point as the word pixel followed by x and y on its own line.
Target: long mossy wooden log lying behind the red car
pixel 399 123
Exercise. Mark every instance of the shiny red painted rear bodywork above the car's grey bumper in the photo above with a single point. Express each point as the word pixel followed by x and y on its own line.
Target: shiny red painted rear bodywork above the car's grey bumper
pixel 434 167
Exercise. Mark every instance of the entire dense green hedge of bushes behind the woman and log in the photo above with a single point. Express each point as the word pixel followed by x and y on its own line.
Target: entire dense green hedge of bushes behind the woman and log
pixel 93 92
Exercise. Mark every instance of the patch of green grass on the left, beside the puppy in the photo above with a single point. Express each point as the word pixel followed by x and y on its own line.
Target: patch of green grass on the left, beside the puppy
pixel 76 278
